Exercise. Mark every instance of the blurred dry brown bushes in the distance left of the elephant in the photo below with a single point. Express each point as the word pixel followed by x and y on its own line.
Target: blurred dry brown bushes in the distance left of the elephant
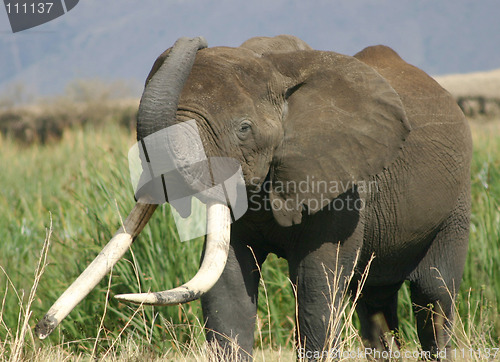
pixel 85 102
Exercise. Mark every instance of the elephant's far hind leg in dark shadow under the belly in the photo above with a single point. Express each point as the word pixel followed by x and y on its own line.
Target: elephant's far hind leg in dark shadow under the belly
pixel 377 312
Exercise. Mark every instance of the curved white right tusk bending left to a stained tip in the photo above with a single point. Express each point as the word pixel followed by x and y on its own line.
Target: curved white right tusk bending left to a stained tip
pixel 212 266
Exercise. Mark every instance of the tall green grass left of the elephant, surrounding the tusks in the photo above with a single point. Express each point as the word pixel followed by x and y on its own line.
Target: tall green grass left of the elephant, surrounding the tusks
pixel 83 186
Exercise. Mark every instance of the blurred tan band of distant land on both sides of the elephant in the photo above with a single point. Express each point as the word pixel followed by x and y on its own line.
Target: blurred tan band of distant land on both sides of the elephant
pixel 98 104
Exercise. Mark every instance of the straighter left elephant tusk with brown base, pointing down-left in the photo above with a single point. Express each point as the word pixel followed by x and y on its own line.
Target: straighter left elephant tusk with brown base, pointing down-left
pixel 98 269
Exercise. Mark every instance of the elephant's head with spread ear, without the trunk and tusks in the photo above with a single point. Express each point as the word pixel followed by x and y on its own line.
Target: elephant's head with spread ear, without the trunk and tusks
pixel 277 111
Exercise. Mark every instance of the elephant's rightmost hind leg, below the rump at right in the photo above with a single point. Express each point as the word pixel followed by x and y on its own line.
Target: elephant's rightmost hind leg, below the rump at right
pixel 437 278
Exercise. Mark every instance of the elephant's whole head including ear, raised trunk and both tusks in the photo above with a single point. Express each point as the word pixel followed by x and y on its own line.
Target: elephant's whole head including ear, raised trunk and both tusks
pixel 288 114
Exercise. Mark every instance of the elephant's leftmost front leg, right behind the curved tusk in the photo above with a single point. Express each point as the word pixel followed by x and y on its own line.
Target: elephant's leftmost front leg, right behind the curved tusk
pixel 230 307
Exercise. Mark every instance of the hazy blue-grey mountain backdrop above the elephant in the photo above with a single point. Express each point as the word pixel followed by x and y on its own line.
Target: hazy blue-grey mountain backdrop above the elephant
pixel 119 39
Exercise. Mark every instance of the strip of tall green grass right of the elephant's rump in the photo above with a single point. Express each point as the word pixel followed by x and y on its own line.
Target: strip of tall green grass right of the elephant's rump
pixel 482 272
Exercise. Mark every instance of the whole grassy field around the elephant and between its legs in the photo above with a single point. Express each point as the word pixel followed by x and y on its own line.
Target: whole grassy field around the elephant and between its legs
pixel 61 202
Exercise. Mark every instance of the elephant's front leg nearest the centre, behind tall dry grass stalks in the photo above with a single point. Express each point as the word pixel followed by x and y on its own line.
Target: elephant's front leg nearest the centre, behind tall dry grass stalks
pixel 320 280
